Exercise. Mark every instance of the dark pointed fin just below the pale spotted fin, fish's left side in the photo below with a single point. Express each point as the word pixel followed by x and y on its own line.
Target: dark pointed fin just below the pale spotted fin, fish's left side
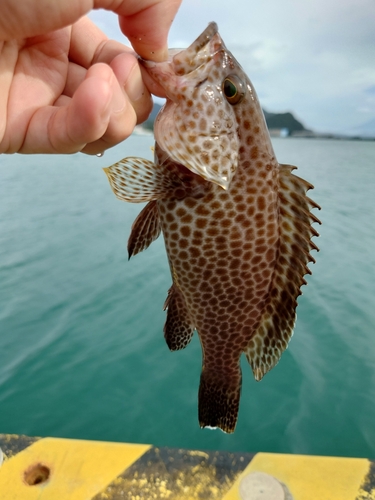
pixel 145 229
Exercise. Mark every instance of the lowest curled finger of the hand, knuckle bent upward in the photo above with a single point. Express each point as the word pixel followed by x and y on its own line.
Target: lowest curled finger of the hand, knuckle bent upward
pixel 97 110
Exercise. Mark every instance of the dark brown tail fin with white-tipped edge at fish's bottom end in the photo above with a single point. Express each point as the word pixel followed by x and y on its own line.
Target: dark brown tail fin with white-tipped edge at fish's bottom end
pixel 219 399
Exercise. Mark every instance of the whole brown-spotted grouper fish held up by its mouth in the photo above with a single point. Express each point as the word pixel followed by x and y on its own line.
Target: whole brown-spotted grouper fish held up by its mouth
pixel 237 225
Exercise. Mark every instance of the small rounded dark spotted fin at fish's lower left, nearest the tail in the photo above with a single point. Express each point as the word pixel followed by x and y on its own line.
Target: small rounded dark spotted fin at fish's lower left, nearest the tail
pixel 178 328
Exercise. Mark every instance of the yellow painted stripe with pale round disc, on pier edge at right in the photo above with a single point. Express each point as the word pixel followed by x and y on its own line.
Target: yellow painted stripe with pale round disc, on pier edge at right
pixel 309 478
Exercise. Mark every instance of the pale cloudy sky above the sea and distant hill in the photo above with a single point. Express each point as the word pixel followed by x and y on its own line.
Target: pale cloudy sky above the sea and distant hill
pixel 315 58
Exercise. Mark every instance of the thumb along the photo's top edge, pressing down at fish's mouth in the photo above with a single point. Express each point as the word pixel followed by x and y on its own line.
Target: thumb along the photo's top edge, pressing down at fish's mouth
pixel 146 23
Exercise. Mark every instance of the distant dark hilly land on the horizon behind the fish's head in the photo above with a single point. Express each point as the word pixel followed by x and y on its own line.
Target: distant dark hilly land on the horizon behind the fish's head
pixel 279 125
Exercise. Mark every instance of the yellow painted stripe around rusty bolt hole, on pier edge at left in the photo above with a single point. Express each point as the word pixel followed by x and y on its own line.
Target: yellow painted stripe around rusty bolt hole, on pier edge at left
pixel 78 469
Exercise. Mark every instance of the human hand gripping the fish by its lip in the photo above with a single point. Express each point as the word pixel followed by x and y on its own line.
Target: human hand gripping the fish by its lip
pixel 64 87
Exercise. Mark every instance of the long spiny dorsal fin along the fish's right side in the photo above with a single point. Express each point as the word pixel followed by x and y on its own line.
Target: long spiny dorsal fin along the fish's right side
pixel 276 325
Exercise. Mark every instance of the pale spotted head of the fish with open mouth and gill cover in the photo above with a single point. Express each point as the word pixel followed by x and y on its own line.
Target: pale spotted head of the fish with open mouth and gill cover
pixel 207 92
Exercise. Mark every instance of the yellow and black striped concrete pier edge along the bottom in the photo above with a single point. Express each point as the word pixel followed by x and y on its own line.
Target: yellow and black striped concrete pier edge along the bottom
pixel 56 468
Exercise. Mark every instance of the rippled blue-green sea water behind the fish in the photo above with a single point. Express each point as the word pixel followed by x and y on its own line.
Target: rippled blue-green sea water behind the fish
pixel 82 353
